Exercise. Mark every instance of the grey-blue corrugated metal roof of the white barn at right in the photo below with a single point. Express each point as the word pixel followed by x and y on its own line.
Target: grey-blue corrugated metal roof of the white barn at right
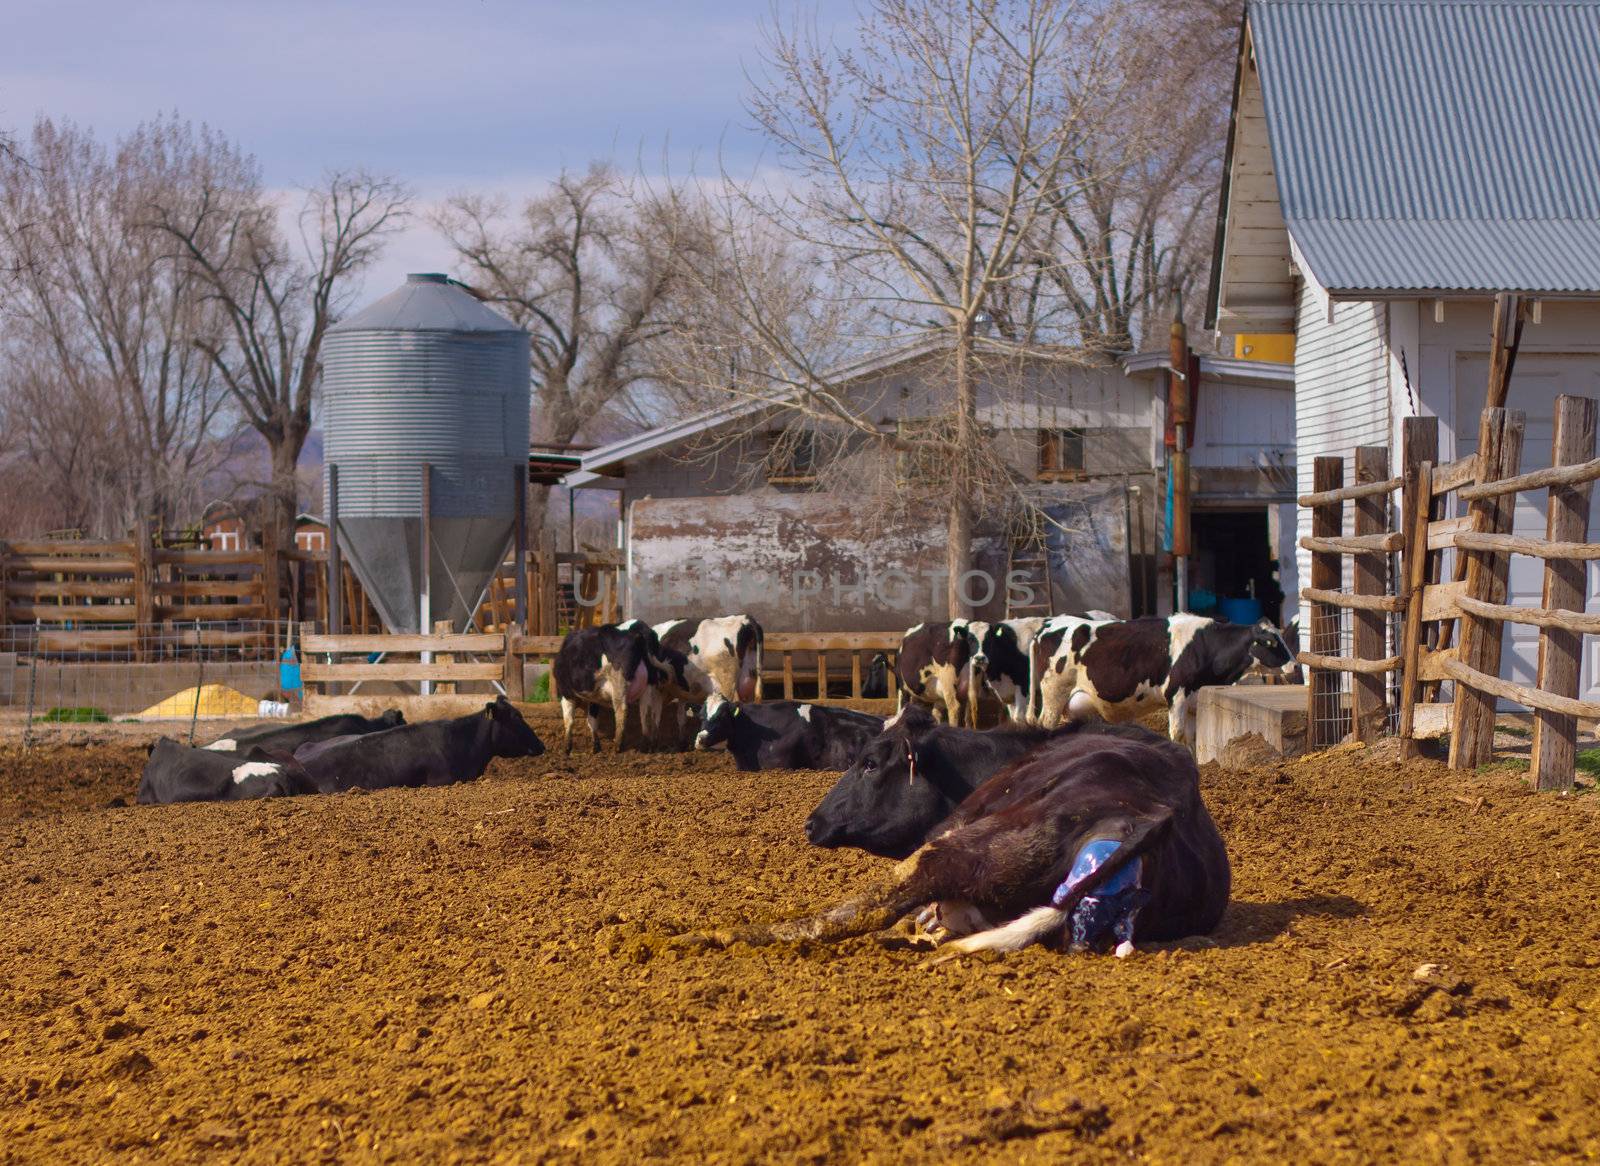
pixel 1438 145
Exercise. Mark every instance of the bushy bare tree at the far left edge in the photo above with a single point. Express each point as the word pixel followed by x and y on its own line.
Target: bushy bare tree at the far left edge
pixel 102 325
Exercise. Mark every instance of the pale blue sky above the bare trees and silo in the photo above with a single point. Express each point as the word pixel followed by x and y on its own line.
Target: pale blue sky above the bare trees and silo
pixel 447 95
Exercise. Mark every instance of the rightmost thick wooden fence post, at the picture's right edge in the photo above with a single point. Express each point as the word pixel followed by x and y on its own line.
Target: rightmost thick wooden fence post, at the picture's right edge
pixel 1561 652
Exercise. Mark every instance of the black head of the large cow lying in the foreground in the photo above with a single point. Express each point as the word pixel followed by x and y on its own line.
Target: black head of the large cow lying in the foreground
pixel 887 802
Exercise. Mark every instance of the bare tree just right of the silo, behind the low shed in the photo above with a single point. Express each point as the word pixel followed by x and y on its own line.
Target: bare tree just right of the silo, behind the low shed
pixel 593 270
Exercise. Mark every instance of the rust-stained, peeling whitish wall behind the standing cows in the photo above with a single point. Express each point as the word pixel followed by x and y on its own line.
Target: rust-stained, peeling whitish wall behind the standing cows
pixel 796 562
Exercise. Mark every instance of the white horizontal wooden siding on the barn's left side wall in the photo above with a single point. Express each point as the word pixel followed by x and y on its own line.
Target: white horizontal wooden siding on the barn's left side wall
pixel 1342 389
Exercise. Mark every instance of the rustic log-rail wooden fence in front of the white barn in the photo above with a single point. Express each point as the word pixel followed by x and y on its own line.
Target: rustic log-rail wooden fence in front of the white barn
pixel 1460 517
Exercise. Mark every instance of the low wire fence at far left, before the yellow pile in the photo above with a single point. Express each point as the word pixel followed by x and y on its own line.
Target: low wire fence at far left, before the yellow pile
pixel 202 671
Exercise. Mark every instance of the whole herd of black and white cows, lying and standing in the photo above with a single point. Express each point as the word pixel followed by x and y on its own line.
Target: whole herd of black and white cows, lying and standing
pixel 1063 826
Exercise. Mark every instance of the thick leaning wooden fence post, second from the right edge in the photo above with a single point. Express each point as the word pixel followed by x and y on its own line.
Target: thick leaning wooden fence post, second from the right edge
pixel 1473 721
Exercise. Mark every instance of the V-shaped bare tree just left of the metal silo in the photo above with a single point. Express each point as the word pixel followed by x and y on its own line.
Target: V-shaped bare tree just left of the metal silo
pixel 278 290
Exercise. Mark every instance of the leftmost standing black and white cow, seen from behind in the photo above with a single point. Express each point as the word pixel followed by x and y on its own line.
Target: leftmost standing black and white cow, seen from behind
pixel 614 665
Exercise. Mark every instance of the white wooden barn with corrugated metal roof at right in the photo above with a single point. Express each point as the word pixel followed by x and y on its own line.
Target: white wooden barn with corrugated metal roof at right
pixel 1391 169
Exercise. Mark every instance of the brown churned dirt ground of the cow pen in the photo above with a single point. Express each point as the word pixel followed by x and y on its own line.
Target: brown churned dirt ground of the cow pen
pixel 1410 972
